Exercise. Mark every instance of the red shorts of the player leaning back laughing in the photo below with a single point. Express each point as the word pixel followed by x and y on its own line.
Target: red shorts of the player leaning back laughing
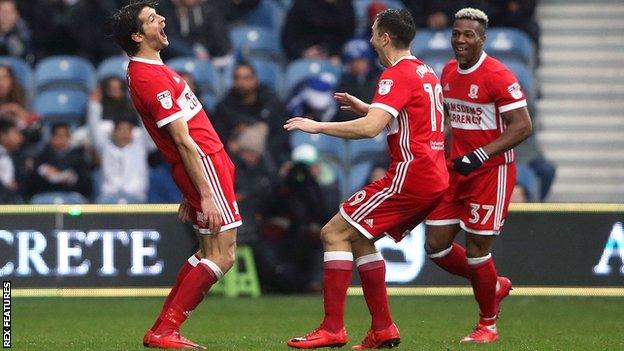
pixel 219 170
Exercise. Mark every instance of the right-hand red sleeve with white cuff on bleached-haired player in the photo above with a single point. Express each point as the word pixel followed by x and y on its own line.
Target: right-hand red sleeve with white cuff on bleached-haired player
pixel 506 91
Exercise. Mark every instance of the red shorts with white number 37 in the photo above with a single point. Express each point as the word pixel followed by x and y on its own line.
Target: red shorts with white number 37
pixel 478 202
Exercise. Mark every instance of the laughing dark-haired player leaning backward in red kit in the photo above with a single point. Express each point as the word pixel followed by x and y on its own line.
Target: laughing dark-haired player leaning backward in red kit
pixel 180 128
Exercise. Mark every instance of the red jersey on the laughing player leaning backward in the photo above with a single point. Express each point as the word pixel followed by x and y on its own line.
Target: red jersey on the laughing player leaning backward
pixel 161 96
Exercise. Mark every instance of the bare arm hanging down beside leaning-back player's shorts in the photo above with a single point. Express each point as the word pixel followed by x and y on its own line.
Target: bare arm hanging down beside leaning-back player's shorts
pixel 192 164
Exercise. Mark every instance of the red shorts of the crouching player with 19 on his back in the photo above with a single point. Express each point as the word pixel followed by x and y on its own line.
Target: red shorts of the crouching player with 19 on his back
pixel 376 210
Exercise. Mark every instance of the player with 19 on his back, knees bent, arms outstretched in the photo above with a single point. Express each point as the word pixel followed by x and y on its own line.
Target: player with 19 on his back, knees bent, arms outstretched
pixel 408 102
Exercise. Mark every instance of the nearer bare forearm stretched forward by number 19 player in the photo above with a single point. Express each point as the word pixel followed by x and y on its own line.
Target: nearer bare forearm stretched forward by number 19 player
pixel 368 126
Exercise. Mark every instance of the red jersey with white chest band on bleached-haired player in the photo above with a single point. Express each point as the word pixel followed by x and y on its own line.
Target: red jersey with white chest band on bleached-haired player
pixel 474 99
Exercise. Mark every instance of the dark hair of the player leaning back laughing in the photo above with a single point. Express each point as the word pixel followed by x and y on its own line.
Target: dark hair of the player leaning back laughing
pixel 126 22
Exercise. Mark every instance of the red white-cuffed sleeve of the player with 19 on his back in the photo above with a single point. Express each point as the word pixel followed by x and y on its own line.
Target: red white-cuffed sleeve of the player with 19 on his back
pixel 393 92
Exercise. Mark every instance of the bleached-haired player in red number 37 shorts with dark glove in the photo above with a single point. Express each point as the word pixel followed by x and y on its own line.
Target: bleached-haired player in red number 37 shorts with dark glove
pixel 487 111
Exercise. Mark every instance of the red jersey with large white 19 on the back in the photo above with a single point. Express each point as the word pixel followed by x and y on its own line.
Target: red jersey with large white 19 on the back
pixel 411 92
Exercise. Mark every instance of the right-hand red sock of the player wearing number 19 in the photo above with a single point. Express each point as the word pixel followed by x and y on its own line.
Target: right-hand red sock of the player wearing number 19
pixel 372 270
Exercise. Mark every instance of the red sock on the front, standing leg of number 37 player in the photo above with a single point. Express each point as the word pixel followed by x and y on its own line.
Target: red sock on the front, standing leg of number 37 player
pixel 484 278
